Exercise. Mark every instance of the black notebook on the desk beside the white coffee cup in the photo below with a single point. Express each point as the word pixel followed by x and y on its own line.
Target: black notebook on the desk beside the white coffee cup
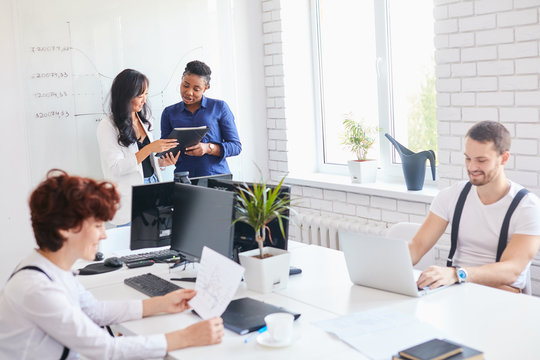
pixel 245 315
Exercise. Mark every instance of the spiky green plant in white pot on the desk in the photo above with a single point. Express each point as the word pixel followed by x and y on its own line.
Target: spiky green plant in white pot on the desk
pixel 266 268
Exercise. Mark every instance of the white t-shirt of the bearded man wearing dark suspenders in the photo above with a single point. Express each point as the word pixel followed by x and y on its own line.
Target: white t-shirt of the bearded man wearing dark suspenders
pixel 480 225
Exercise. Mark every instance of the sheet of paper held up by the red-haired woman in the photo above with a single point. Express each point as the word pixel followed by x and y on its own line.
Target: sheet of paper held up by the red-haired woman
pixel 218 279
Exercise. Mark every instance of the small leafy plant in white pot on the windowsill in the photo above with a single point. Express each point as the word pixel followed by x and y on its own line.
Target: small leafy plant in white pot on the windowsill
pixel 359 138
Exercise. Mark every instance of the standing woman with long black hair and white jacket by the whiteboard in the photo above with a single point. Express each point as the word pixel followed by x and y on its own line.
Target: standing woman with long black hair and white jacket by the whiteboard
pixel 125 141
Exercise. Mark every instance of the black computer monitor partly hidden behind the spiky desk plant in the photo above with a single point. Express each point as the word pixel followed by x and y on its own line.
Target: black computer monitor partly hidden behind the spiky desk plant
pixel 244 235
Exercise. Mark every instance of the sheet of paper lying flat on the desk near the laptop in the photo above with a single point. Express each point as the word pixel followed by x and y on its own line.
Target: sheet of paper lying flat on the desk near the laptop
pixel 380 333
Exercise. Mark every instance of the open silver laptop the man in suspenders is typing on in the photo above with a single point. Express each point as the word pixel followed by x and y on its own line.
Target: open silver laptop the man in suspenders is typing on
pixel 381 263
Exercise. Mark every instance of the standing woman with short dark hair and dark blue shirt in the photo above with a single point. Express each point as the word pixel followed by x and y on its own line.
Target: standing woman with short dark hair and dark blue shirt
pixel 209 156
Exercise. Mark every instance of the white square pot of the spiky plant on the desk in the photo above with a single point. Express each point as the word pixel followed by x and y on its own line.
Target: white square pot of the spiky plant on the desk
pixel 268 274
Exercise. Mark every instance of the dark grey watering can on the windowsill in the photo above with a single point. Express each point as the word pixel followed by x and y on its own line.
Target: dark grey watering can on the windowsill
pixel 414 164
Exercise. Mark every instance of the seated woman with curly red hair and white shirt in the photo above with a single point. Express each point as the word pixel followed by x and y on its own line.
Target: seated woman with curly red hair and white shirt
pixel 45 313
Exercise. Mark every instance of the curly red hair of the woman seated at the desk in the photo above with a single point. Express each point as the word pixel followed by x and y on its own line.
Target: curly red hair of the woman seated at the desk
pixel 63 202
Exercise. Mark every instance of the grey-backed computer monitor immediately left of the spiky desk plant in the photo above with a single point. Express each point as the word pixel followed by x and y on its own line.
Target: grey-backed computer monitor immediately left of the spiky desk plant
pixel 202 217
